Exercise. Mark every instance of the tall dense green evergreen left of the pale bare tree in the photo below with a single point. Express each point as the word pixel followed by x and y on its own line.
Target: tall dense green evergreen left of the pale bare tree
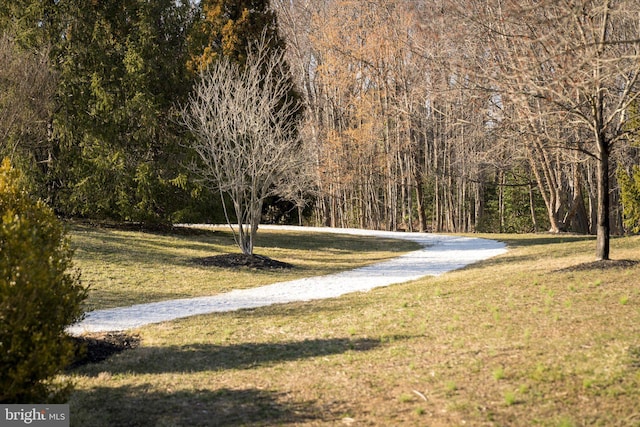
pixel 122 70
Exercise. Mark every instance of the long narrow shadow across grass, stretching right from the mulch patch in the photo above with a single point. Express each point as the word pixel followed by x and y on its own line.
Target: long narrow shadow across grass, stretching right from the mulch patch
pixel 211 357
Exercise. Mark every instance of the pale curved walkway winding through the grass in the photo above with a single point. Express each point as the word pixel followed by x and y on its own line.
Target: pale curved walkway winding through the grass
pixel 439 254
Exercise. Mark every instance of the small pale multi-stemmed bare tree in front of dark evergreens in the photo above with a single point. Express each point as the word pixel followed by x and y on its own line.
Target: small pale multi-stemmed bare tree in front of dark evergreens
pixel 244 122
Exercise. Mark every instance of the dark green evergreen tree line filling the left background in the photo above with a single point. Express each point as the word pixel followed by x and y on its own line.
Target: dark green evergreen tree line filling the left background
pixel 91 97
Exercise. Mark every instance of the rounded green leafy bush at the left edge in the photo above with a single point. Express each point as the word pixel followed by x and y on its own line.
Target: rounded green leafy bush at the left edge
pixel 39 298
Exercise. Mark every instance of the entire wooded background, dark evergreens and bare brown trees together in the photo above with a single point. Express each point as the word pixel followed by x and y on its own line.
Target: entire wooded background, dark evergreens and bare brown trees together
pixel 448 115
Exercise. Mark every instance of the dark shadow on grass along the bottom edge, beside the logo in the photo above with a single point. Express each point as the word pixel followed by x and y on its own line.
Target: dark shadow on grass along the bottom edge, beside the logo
pixel 138 406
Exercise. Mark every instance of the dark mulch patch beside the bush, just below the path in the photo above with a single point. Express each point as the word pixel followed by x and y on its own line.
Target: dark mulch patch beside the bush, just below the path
pixel 94 348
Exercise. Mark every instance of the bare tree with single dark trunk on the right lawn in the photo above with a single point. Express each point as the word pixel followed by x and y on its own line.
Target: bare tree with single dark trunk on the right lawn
pixel 580 62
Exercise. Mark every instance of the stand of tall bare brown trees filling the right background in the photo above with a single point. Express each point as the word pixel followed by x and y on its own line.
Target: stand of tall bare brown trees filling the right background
pixel 454 115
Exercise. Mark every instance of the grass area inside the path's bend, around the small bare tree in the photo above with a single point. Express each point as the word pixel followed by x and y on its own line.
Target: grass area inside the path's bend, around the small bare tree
pixel 123 267
